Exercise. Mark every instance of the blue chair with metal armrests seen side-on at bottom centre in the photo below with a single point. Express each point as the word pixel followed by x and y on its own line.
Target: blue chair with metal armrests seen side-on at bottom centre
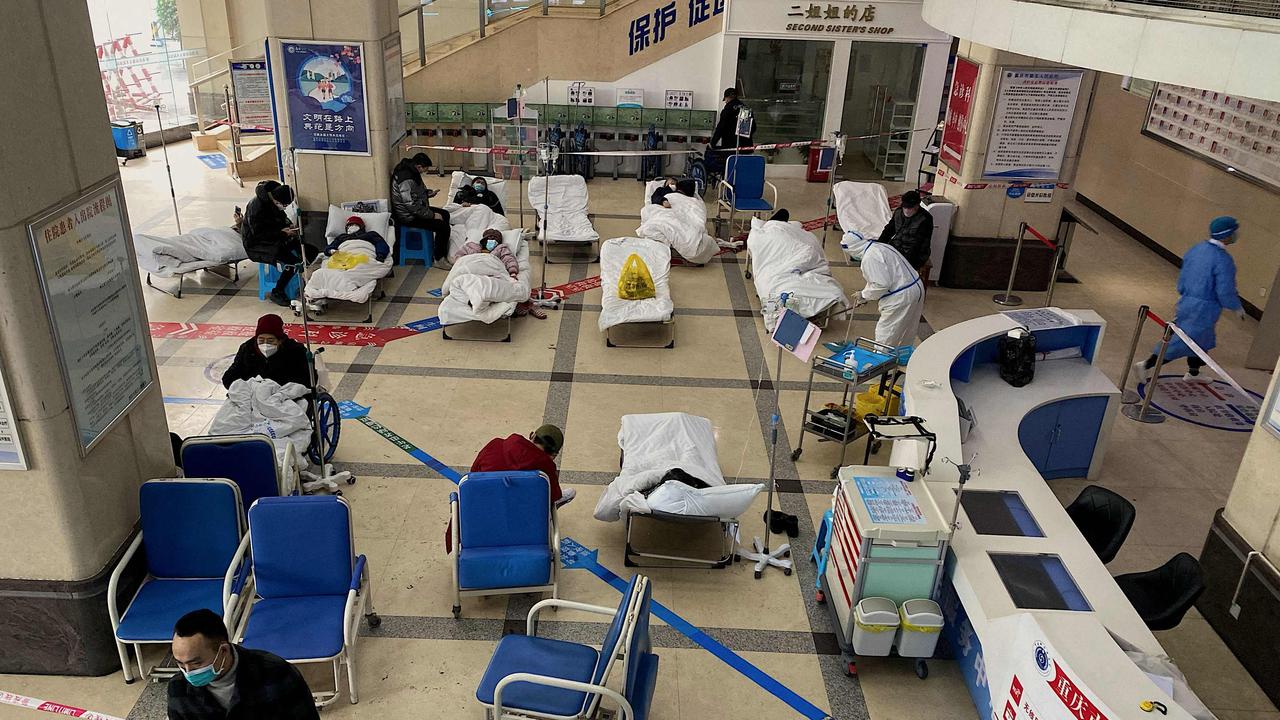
pixel 557 680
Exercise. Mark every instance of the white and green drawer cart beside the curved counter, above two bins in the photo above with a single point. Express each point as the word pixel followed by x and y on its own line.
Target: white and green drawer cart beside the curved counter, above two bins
pixel 889 540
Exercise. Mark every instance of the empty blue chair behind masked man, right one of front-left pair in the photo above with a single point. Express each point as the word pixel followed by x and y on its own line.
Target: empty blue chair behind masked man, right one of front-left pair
pixel 309 586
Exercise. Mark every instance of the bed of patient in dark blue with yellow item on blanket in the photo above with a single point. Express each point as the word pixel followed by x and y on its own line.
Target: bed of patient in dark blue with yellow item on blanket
pixel 331 288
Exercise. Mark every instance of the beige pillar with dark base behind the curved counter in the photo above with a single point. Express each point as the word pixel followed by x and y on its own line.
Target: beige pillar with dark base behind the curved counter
pixel 986 218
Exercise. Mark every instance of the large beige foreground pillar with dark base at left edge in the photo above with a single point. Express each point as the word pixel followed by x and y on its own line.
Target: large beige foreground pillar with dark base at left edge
pixel 67 518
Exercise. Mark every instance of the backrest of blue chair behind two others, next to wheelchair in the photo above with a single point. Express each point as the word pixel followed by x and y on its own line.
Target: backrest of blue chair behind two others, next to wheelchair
pixel 246 461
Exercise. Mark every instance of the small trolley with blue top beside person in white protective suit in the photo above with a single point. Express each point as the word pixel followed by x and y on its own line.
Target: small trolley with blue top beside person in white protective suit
pixel 856 366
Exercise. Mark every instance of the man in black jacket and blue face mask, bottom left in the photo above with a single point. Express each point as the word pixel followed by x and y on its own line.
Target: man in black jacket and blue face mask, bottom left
pixel 225 682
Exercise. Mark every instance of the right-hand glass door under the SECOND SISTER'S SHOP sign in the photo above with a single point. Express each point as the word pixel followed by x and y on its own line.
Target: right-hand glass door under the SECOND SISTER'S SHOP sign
pixel 880 102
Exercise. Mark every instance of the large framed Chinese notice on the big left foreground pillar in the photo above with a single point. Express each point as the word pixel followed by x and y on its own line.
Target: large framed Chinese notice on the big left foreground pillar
pixel 86 271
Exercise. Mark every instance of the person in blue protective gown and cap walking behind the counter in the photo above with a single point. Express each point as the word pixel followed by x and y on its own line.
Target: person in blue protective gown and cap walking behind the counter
pixel 1206 286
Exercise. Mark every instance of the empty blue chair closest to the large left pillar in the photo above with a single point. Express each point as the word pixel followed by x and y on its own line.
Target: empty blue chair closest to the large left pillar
pixel 191 534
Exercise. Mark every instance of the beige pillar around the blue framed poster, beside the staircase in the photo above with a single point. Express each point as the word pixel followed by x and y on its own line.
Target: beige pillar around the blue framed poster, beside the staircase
pixel 337 179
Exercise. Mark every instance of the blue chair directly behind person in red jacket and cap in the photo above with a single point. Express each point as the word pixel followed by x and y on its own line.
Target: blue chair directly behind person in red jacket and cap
pixel 505 536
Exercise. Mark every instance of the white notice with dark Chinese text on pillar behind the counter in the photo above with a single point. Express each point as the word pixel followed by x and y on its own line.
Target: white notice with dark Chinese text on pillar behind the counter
pixel 1032 124
